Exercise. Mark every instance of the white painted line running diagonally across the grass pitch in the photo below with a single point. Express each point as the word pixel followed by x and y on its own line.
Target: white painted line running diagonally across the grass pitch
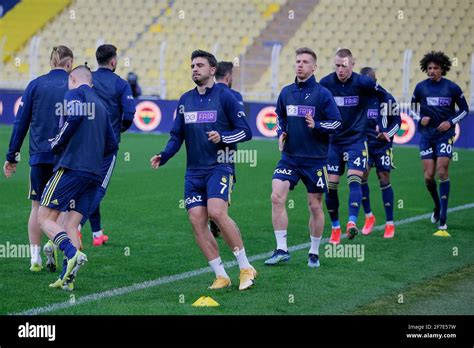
pixel 170 279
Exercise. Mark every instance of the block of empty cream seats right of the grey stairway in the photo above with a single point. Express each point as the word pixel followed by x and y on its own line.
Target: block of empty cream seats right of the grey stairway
pixel 381 37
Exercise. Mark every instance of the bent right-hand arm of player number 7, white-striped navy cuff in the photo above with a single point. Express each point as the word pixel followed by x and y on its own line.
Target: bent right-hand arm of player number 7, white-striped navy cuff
pixel 236 114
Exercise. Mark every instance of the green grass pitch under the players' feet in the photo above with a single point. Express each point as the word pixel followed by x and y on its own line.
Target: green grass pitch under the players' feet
pixel 151 238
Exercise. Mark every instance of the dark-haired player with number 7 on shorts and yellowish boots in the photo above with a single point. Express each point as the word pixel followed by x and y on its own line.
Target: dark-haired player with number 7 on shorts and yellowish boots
pixel 210 120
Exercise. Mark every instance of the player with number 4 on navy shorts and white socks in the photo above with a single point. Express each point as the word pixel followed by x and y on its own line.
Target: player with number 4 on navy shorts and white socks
pixel 307 114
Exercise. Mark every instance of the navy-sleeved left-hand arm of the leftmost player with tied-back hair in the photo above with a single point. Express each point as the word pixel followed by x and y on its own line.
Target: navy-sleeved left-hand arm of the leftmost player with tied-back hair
pixel 21 124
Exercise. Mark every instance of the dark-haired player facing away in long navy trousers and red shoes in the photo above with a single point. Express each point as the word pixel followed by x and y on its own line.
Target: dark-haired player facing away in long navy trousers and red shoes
pixel 116 95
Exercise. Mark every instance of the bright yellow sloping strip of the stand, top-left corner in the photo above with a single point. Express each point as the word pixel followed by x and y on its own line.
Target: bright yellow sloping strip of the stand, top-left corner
pixel 24 20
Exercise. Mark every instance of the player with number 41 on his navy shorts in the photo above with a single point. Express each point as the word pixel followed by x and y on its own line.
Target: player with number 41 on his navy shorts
pixel 351 92
